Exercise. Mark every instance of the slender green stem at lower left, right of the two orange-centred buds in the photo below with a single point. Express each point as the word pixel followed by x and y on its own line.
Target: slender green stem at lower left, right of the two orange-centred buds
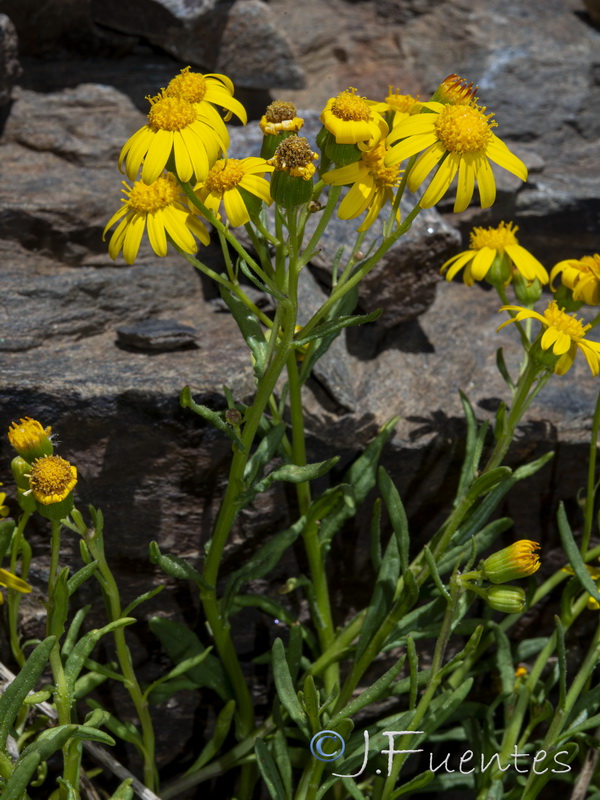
pixel 112 599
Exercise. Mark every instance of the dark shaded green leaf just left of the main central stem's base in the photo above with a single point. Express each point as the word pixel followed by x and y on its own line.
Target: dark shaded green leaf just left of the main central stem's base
pixel 182 643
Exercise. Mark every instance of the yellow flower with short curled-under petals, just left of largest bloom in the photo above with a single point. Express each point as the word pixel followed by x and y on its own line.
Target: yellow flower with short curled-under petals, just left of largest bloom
pixel 352 119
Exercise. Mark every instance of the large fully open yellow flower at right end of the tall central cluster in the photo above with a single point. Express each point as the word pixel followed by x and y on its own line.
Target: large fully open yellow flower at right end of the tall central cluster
pixel 456 138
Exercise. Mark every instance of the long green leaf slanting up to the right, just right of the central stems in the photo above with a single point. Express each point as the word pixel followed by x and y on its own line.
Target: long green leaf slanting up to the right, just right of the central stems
pixel 361 476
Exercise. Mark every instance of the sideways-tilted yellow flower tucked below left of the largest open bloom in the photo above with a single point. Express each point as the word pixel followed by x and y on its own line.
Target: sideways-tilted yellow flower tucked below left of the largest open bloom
pixel 372 184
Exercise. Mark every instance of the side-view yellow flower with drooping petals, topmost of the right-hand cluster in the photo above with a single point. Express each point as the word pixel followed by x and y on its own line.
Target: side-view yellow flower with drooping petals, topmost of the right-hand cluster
pixel 486 246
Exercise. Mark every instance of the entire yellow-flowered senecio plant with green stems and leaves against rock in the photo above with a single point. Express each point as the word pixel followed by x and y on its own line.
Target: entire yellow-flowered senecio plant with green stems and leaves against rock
pixel 421 691
